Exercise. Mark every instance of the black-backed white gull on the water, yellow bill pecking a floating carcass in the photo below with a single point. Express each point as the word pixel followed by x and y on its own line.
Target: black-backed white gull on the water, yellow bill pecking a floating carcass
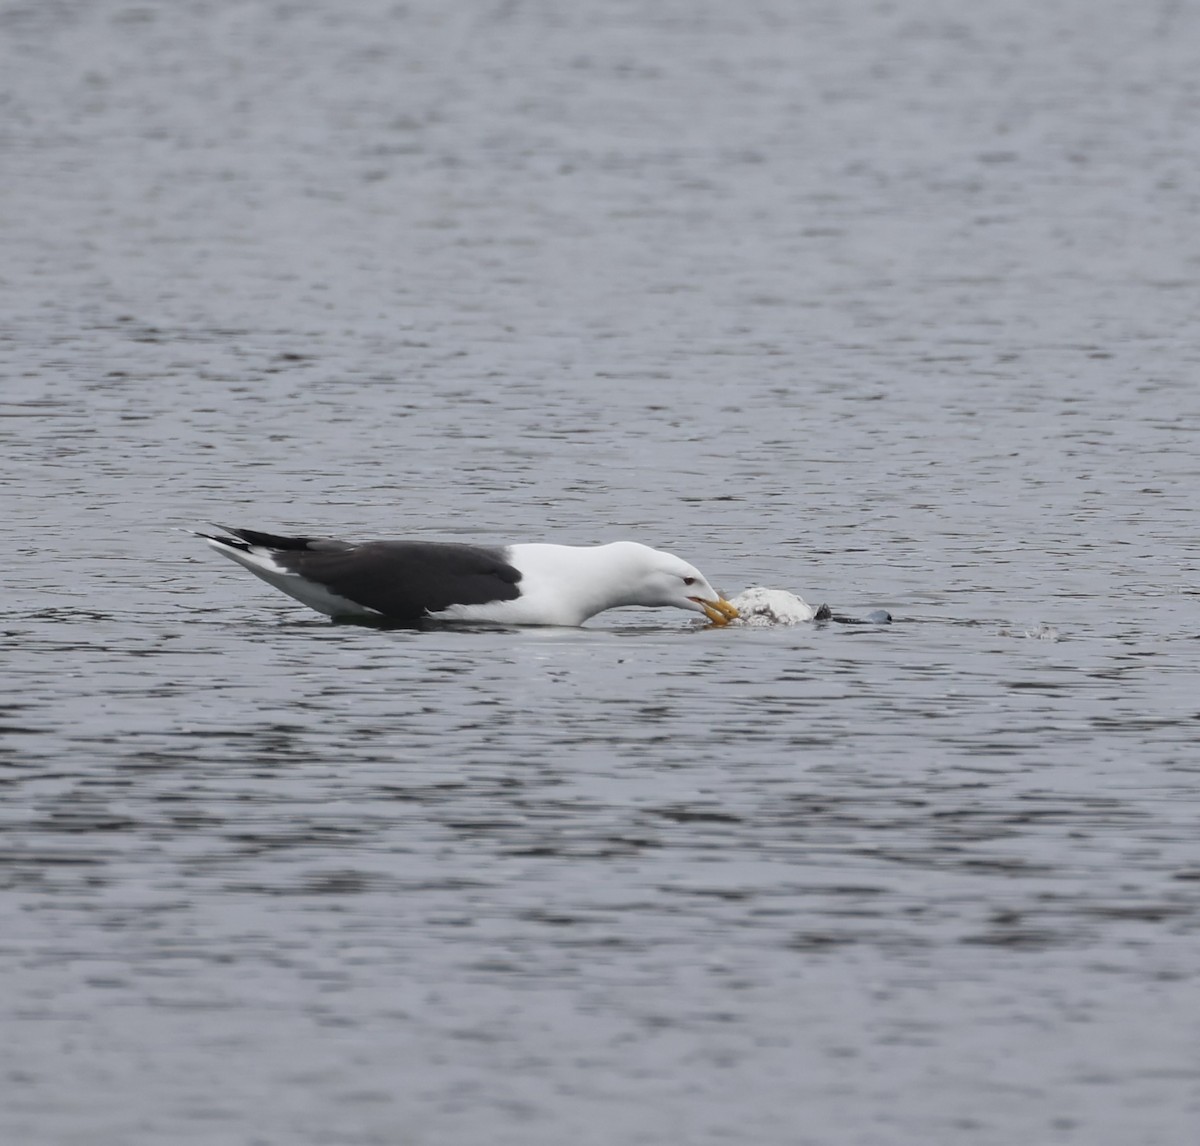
pixel 407 583
